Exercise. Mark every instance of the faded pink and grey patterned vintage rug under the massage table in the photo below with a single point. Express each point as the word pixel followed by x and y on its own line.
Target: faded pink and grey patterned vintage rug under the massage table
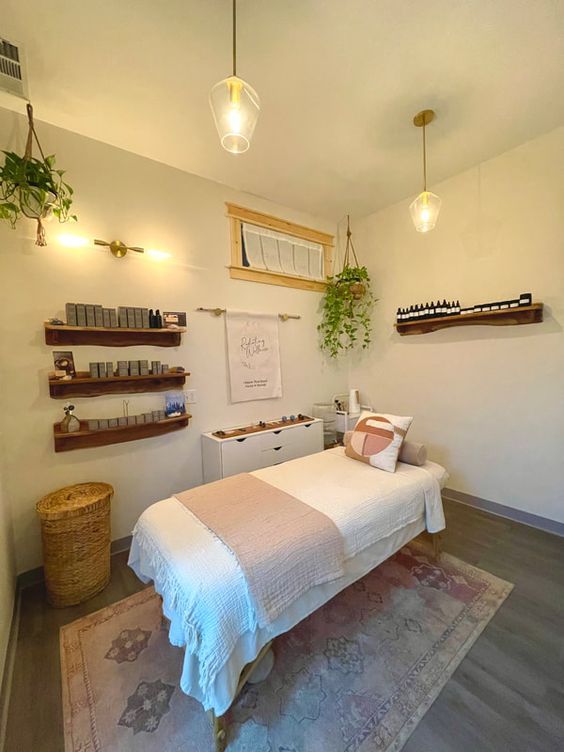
pixel 356 675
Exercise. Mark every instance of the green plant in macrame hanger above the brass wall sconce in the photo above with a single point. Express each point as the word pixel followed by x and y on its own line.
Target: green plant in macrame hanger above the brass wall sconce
pixel 32 187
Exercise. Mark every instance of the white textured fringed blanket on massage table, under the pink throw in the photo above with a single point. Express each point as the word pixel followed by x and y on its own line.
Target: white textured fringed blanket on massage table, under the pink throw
pixel 200 579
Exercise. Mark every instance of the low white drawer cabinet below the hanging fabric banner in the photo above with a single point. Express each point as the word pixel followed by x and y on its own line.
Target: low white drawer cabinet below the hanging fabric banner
pixel 224 457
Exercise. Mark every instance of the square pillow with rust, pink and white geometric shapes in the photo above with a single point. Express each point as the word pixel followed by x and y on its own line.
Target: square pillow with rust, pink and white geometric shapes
pixel 377 439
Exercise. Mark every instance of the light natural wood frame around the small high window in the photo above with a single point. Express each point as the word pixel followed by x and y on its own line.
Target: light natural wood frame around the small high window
pixel 239 214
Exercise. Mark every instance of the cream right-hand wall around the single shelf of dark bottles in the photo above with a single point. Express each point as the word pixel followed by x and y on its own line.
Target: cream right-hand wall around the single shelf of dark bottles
pixel 488 401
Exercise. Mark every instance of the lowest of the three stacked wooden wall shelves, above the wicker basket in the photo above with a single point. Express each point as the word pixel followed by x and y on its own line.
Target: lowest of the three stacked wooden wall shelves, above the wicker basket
pixel 84 439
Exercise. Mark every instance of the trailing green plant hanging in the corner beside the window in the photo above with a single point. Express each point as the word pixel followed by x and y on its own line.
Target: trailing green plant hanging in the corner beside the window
pixel 347 306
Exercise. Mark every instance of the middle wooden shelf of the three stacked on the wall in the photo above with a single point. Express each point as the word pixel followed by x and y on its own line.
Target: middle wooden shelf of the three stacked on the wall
pixel 83 385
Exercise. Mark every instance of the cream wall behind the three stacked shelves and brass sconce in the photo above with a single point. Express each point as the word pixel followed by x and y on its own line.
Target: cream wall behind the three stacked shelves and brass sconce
pixel 120 195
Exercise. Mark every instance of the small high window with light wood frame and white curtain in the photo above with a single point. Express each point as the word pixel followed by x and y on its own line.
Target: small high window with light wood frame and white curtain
pixel 276 252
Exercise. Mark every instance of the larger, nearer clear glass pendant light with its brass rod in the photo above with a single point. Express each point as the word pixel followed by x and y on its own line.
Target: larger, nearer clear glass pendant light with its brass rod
pixel 235 105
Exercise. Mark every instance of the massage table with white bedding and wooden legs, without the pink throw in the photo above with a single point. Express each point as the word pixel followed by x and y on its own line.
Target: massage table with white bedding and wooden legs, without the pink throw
pixel 200 582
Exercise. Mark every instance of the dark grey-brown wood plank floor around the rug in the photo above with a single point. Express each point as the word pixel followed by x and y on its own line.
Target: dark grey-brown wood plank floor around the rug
pixel 507 695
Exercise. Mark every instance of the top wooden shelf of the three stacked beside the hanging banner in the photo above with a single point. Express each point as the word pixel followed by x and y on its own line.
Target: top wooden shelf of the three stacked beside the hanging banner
pixel 117 337
